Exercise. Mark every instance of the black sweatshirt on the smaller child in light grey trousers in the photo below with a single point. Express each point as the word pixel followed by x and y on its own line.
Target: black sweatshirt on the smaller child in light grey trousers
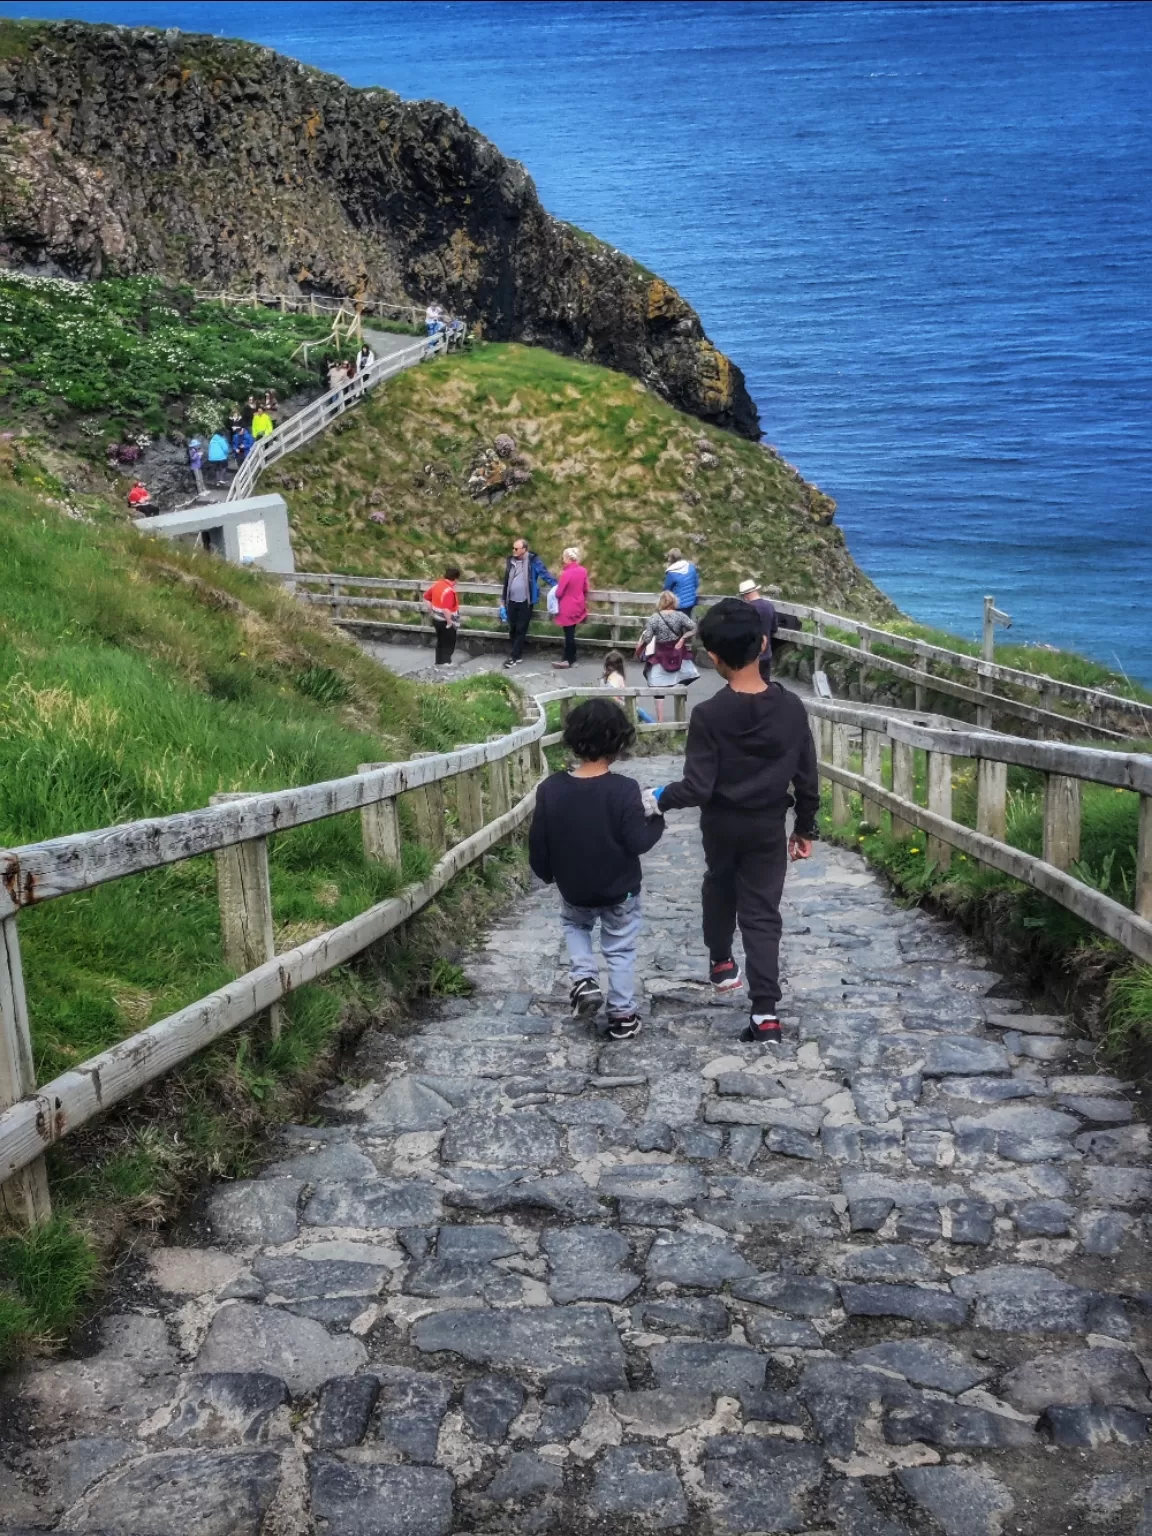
pixel 588 835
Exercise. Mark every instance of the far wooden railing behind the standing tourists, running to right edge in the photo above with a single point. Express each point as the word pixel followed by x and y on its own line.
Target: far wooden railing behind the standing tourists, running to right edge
pixel 623 614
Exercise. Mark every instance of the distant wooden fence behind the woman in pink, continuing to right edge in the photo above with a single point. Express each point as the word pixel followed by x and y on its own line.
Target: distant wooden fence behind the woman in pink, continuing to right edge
pixel 343 595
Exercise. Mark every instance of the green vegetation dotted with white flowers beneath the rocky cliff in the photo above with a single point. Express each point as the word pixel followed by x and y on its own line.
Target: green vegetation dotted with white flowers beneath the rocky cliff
pixel 137 354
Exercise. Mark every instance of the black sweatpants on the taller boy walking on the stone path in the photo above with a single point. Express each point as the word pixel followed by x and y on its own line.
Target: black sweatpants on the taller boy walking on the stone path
pixel 747 859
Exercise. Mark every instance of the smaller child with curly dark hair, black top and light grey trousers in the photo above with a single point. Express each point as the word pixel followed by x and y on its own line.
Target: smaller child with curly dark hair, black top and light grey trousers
pixel 588 835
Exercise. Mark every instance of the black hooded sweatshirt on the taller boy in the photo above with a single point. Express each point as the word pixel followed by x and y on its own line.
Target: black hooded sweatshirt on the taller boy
pixel 744 752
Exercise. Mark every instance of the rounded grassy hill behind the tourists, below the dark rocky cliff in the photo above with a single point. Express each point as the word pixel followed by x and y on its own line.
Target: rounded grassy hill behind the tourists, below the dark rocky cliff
pixel 609 466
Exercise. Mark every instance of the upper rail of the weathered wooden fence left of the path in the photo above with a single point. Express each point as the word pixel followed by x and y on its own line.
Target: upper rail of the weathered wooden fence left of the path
pixel 42 872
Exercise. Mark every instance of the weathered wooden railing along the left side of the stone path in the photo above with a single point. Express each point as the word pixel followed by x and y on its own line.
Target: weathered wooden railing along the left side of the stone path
pixel 236 829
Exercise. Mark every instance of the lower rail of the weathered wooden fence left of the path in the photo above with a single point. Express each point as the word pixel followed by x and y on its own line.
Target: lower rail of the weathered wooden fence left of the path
pixel 79 1096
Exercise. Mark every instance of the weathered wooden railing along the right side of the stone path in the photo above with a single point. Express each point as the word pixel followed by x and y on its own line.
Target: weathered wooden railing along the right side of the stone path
pixel 1065 769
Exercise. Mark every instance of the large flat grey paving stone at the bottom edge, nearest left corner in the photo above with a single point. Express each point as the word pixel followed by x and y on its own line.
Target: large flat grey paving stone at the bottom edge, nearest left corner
pixel 184 1494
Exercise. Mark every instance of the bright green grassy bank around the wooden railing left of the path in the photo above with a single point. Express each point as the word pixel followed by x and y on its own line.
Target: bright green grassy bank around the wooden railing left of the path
pixel 137 681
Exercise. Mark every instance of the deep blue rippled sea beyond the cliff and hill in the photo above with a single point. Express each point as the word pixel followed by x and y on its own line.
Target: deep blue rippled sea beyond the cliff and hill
pixel 922 230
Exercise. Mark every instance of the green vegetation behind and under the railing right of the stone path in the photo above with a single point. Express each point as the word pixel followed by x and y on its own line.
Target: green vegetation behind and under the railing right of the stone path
pixel 1044 939
